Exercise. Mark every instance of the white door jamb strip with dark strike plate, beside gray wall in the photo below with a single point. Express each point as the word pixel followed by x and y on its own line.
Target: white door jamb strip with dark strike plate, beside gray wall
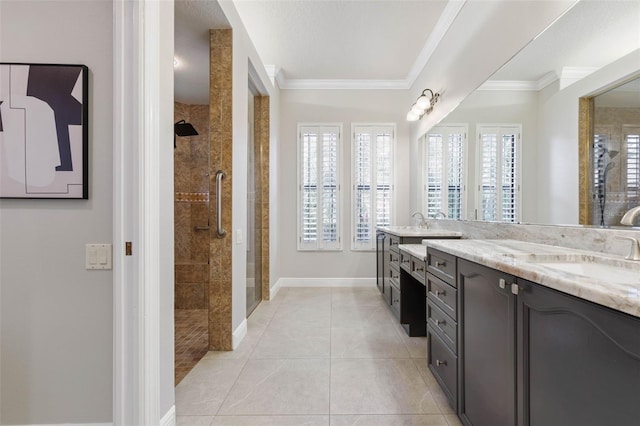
pixel 126 363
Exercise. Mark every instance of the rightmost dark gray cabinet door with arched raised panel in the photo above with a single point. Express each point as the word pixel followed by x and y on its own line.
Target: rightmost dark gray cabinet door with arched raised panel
pixel 578 362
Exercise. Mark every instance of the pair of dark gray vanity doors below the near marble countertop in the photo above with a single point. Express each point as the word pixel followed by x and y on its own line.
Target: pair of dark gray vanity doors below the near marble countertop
pixel 531 355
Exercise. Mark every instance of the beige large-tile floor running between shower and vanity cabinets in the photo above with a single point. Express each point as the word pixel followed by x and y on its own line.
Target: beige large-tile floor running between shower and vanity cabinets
pixel 317 356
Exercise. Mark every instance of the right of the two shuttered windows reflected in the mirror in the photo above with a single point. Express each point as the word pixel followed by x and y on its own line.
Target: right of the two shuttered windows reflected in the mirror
pixel 499 173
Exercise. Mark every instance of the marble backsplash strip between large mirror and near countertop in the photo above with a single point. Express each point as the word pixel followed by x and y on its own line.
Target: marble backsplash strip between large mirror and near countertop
pixel 597 239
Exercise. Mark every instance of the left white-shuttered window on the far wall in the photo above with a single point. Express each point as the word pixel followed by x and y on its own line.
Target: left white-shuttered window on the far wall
pixel 319 187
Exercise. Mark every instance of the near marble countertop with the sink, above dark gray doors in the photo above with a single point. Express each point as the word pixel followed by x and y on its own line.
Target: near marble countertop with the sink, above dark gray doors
pixel 606 280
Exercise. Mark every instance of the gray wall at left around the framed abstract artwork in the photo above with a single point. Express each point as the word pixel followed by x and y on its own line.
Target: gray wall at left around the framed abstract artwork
pixel 56 317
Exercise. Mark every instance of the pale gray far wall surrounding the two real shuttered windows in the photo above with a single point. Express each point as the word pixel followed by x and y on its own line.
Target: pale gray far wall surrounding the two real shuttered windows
pixel 346 107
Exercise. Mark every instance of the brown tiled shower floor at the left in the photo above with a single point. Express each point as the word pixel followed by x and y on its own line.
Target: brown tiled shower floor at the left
pixel 191 339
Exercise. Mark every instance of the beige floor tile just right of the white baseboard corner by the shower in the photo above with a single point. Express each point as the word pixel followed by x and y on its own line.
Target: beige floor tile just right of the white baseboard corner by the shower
pixel 293 342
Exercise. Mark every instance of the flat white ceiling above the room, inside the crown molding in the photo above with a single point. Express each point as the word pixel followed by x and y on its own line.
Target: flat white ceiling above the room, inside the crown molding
pixel 340 40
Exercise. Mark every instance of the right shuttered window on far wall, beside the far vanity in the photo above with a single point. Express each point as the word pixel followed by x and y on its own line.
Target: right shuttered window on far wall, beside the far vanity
pixel 372 179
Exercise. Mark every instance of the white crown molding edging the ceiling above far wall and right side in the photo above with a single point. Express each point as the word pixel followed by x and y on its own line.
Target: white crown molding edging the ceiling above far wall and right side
pixel 447 17
